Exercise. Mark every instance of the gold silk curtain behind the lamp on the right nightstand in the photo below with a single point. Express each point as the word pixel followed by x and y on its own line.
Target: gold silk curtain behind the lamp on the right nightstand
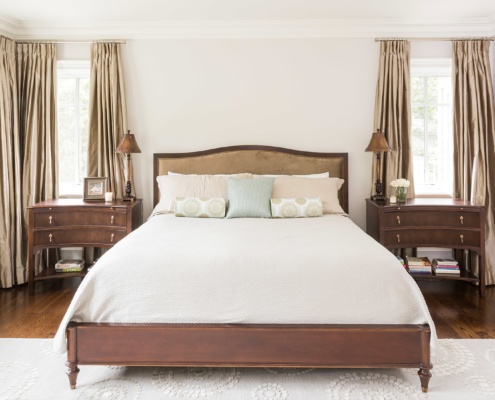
pixel 393 112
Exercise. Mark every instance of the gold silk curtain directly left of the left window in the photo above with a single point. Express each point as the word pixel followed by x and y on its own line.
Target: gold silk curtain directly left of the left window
pixel 36 77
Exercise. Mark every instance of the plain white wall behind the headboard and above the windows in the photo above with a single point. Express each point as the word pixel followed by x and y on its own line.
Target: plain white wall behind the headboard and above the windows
pixel 306 94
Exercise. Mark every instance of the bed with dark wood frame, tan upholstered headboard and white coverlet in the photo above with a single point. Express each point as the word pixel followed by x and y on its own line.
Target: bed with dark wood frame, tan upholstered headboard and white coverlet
pixel 283 337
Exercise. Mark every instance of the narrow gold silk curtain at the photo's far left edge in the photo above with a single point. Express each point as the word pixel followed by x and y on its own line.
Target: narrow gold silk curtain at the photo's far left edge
pixel 12 258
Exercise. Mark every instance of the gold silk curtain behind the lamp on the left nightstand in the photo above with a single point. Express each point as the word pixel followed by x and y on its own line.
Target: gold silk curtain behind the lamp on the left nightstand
pixel 107 115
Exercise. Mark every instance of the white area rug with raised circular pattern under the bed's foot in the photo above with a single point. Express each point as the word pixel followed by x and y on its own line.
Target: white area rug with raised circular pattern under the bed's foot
pixel 29 369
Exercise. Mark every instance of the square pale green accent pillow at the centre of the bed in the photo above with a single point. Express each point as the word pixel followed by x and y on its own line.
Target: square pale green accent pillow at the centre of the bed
pixel 249 198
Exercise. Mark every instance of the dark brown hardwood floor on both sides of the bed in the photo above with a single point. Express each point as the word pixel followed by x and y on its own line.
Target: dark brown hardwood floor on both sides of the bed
pixel 455 307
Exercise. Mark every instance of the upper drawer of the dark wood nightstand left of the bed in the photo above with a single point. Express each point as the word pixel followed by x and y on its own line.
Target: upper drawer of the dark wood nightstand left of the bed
pixel 51 218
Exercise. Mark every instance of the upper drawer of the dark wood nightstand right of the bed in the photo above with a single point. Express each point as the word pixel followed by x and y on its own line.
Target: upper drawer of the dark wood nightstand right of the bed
pixel 456 219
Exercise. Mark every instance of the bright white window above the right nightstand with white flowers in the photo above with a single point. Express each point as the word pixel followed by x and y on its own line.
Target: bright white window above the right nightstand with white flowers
pixel 432 137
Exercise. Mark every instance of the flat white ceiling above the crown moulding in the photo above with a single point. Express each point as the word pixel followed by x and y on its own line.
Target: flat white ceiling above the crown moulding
pixel 185 10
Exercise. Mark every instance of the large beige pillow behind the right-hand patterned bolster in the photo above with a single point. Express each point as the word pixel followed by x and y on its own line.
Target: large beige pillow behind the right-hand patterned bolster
pixel 326 189
